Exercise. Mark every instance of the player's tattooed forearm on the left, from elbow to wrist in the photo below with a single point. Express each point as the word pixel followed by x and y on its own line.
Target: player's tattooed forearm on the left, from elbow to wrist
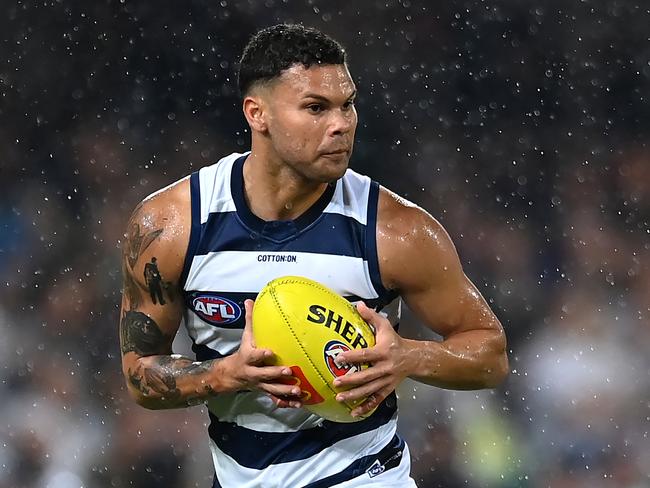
pixel 171 381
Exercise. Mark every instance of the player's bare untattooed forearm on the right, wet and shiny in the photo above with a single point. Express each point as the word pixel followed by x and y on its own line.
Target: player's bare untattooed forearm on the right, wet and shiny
pixel 465 361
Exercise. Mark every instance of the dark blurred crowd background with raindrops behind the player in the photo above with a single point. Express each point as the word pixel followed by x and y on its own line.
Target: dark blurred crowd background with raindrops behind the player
pixel 521 126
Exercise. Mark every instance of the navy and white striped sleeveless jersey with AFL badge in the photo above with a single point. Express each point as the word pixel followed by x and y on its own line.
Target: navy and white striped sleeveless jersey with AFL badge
pixel 232 254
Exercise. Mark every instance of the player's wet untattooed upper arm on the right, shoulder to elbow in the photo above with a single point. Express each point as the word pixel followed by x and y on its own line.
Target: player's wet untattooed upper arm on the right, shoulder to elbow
pixel 423 265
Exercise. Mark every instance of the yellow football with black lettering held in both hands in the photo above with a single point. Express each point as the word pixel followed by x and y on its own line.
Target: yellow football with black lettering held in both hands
pixel 307 325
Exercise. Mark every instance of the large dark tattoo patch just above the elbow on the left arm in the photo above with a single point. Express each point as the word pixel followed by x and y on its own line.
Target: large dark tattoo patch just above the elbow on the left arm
pixel 140 333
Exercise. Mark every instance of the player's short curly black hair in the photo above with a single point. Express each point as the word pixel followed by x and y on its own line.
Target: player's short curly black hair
pixel 277 48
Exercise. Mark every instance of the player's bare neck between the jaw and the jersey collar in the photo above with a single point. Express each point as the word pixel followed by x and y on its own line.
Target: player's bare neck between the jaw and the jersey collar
pixel 274 191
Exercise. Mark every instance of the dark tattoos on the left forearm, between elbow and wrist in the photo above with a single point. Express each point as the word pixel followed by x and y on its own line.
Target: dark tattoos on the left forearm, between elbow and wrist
pixel 160 378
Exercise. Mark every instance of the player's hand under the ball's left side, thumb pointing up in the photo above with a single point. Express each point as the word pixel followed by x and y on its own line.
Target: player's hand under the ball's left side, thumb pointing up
pixel 248 369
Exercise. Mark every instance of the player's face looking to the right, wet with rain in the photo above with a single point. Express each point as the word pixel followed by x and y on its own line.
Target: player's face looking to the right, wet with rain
pixel 312 120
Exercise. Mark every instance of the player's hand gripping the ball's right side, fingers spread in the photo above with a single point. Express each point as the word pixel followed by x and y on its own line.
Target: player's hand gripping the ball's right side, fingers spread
pixel 390 360
